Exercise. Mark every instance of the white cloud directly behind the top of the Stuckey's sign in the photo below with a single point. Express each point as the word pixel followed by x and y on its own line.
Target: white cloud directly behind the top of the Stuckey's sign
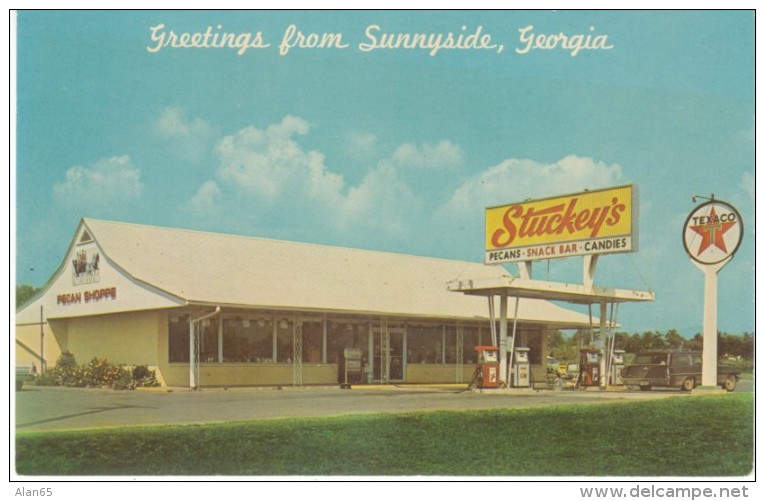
pixel 518 179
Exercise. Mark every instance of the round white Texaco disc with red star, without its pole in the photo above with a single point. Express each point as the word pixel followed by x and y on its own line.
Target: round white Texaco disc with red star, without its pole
pixel 713 232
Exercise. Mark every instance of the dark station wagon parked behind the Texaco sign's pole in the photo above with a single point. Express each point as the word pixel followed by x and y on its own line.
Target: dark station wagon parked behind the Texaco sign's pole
pixel 674 369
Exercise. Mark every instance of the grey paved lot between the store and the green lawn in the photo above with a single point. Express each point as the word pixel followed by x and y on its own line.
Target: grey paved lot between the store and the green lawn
pixel 54 408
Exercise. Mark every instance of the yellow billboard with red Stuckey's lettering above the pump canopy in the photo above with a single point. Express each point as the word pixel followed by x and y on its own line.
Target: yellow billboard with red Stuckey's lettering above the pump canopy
pixel 590 222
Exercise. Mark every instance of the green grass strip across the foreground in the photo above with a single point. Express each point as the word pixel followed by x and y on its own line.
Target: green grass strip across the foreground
pixel 693 436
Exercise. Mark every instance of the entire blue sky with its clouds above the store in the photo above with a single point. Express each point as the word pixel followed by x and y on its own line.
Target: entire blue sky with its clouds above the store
pixel 395 150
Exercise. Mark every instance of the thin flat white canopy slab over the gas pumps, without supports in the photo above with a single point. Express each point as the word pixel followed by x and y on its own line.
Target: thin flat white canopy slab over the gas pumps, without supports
pixel 551 291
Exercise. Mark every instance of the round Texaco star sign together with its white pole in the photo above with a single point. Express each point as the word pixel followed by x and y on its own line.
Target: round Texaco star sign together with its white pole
pixel 711 235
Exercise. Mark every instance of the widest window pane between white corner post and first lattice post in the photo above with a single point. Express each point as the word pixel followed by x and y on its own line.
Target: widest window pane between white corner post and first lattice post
pixel 248 340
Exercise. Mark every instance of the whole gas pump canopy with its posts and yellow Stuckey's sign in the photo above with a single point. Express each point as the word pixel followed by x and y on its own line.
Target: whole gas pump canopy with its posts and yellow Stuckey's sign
pixel 587 224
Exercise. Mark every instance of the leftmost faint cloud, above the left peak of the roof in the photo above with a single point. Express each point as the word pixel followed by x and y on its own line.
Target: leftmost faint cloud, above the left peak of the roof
pixel 108 181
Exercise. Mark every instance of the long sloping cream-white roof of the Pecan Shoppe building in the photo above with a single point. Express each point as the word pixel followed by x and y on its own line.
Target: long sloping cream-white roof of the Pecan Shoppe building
pixel 231 270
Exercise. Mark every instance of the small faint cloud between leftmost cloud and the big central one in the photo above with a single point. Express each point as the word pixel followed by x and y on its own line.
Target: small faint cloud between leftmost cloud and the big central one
pixel 190 138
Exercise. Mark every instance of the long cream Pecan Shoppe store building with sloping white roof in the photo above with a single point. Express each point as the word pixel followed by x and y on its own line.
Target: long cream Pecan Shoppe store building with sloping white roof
pixel 206 309
